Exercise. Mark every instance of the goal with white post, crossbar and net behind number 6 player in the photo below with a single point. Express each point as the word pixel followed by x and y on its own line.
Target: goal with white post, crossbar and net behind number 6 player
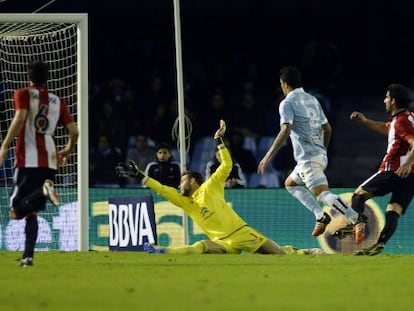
pixel 60 40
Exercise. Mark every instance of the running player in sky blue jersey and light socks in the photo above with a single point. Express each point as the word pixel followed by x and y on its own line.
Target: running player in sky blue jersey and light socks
pixel 302 118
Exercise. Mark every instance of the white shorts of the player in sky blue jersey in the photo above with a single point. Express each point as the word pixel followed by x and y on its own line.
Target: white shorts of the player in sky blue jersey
pixel 311 173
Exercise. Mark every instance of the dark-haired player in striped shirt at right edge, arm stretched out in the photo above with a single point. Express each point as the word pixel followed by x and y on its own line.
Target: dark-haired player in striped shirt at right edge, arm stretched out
pixel 396 172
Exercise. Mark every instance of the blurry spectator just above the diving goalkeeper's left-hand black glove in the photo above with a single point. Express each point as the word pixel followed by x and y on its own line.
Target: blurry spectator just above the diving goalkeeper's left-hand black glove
pixel 142 153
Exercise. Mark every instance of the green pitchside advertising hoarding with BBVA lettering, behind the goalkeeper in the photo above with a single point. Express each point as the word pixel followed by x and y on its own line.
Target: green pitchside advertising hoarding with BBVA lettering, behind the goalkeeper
pixel 274 212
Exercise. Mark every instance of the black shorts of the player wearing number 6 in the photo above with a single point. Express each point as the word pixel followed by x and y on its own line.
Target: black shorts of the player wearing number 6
pixel 26 182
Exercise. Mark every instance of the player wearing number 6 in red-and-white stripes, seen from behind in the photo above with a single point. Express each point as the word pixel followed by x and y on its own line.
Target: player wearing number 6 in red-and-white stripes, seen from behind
pixel 37 114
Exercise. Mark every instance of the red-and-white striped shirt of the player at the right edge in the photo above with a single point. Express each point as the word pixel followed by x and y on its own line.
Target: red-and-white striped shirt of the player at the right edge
pixel 400 131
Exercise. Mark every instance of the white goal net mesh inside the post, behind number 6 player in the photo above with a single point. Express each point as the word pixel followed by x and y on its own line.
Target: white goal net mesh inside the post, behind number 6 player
pixel 55 44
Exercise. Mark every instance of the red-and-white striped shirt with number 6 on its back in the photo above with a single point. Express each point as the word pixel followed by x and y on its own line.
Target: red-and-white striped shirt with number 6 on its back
pixel 35 145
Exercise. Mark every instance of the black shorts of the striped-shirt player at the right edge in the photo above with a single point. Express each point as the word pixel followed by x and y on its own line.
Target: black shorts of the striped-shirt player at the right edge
pixel 382 183
